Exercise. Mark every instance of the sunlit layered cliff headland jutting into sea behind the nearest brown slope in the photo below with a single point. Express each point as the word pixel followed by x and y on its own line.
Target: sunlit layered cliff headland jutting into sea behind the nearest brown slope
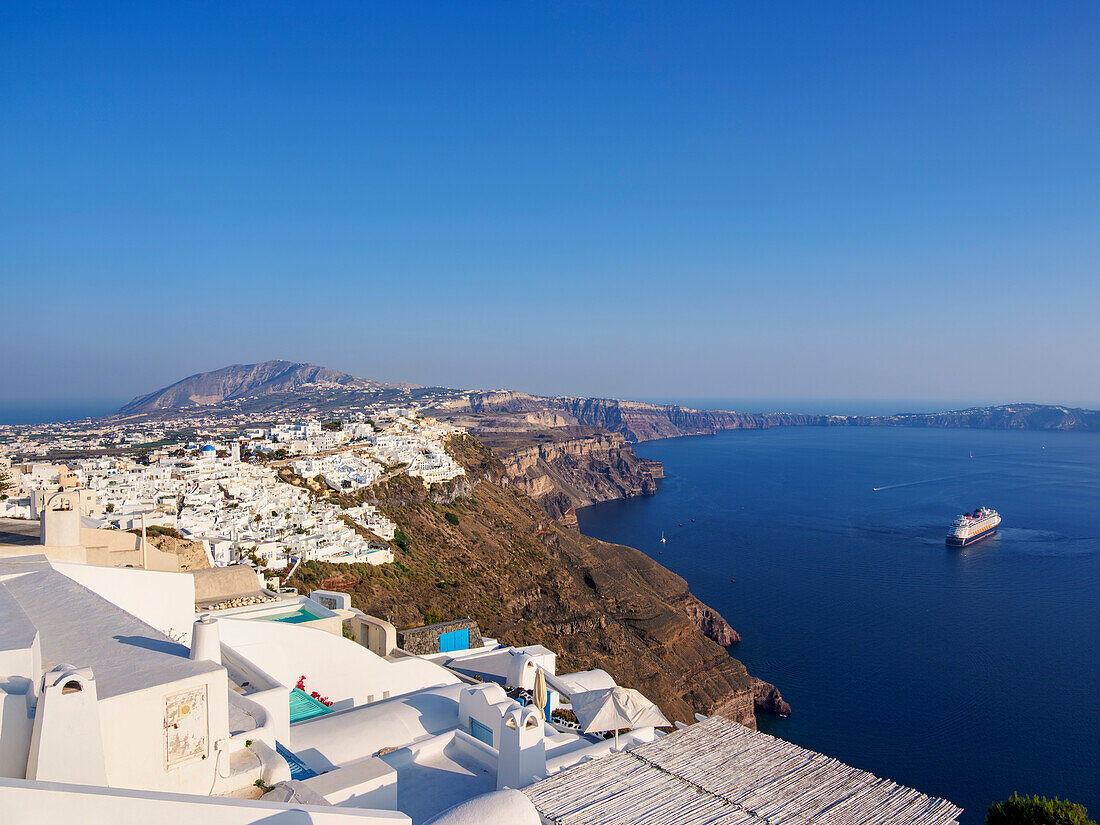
pixel 575 468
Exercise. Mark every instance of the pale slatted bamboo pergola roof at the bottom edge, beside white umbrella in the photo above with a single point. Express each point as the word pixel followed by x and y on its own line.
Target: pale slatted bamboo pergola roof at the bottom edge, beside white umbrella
pixel 718 773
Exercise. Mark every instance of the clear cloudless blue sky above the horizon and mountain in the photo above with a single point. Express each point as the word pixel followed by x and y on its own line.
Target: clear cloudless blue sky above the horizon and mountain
pixel 686 200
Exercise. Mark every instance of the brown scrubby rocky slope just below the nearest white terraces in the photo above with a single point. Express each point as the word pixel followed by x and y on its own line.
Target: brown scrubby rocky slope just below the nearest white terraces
pixel 529 580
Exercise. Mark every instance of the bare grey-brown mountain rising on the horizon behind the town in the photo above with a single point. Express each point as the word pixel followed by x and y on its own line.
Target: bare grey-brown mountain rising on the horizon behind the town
pixel 245 381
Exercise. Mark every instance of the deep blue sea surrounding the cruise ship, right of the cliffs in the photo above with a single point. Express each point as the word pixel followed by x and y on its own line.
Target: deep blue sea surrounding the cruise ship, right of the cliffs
pixel 965 674
